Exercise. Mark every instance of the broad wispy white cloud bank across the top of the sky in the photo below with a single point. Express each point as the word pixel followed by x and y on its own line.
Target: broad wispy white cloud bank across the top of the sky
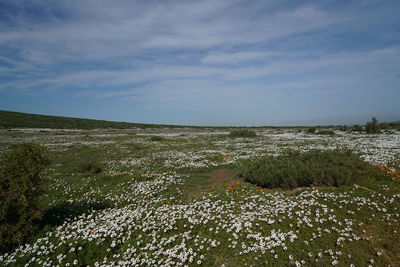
pixel 110 33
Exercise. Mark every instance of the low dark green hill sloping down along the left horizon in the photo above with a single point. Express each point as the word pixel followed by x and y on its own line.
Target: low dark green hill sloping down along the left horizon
pixel 9 119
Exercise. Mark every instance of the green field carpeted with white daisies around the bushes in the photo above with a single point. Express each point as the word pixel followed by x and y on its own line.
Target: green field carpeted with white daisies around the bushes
pixel 125 198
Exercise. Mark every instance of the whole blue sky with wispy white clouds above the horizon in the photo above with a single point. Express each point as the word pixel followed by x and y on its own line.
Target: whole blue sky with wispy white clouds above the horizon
pixel 247 63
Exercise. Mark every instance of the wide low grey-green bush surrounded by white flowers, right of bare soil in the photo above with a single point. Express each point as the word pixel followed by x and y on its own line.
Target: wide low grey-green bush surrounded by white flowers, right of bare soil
pixel 294 169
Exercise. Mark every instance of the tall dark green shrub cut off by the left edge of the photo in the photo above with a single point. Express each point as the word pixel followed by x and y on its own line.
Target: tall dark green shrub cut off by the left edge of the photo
pixel 20 187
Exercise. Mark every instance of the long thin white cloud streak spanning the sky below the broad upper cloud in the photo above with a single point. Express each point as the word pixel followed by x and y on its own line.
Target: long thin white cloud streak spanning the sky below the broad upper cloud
pixel 356 64
